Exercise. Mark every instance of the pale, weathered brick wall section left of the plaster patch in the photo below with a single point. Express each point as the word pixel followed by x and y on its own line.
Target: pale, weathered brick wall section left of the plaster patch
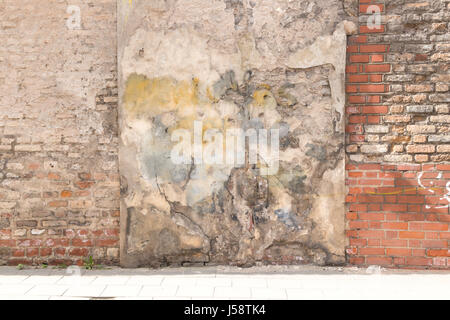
pixel 59 185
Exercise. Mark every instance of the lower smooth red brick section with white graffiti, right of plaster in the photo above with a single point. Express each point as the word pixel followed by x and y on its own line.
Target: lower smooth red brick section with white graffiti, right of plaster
pixel 392 220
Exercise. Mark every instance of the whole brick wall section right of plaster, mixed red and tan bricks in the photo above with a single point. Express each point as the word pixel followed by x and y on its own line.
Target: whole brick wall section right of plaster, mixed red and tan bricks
pixel 398 141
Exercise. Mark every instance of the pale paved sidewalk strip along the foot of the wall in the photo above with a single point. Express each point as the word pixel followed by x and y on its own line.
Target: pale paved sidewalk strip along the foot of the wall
pixel 277 282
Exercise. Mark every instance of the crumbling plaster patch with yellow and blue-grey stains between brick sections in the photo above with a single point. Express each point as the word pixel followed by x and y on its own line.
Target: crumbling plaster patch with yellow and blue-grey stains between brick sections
pixel 270 64
